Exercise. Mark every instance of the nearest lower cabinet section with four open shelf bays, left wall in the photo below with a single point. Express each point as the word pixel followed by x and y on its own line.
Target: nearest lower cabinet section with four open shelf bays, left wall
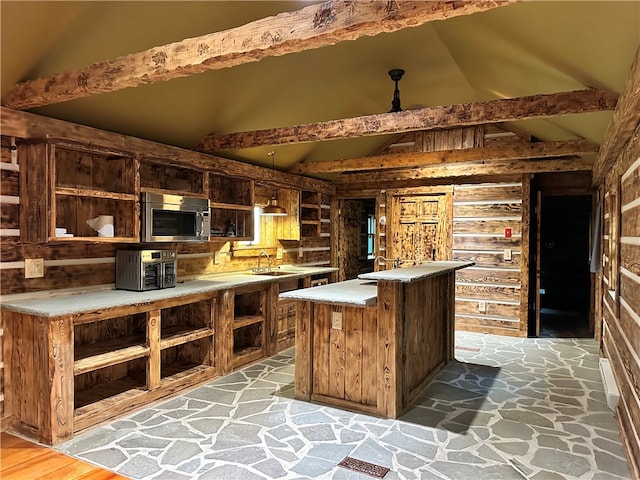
pixel 70 373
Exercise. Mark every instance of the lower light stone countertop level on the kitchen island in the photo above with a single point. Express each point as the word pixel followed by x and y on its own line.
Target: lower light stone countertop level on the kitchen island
pixel 359 293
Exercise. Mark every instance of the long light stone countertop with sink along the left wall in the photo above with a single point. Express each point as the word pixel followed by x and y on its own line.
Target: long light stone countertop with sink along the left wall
pixel 68 304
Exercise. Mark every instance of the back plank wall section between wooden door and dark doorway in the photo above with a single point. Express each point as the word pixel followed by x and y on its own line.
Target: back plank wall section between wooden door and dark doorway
pixel 489 295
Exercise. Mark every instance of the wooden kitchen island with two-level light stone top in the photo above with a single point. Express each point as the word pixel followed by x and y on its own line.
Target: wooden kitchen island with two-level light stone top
pixel 373 343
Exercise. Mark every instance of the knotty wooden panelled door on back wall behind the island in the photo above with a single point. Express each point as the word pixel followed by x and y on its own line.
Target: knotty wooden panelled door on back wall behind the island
pixel 421 227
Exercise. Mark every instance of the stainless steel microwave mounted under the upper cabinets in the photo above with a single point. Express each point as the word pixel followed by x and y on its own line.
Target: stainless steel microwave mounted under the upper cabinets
pixel 174 218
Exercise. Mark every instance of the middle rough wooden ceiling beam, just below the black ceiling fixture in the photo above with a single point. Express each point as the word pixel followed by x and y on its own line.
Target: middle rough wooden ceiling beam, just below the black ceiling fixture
pixel 465 115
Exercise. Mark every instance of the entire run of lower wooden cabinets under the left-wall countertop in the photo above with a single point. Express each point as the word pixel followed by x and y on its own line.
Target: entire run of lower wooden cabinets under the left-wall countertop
pixel 69 373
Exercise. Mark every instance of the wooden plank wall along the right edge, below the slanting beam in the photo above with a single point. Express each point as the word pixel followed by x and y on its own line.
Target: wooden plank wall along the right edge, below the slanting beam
pixel 621 291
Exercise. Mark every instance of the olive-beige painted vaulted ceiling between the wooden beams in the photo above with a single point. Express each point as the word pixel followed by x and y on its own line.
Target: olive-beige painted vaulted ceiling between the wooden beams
pixel 527 48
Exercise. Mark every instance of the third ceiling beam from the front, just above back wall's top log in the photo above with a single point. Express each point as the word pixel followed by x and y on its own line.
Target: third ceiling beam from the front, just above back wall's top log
pixel 417 159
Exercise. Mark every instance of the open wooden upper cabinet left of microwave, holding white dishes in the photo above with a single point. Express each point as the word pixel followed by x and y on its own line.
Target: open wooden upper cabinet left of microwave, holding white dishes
pixel 66 184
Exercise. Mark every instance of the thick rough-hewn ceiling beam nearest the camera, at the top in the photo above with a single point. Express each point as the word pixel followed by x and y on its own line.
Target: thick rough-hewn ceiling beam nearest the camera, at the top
pixel 311 27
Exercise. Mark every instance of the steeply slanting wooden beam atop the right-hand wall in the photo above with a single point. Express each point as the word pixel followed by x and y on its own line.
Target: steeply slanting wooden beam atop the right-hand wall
pixel 626 119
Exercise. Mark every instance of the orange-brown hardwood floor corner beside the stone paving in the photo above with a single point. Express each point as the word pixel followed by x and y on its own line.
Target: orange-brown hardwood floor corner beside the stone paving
pixel 23 460
